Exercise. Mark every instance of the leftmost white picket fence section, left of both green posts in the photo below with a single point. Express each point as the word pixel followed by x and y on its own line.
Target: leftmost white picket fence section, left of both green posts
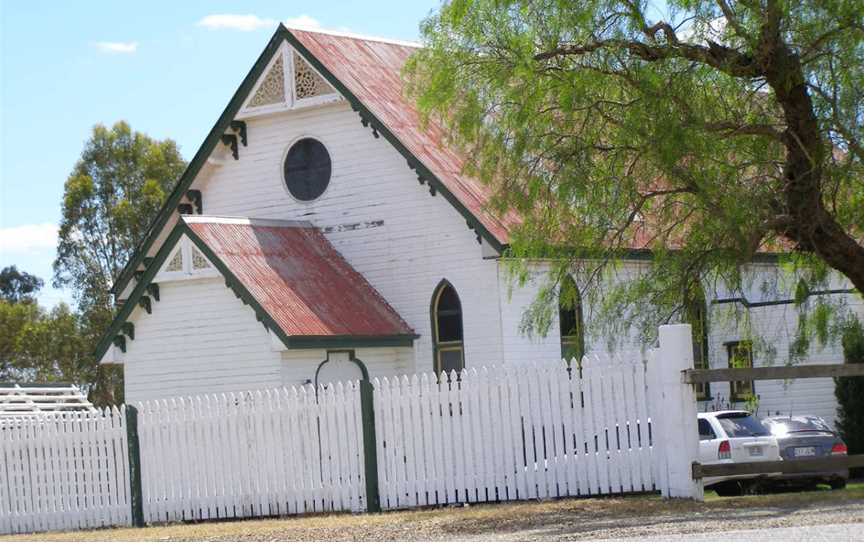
pixel 64 471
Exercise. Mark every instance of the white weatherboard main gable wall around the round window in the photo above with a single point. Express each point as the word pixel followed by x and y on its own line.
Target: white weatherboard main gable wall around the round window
pixel 387 225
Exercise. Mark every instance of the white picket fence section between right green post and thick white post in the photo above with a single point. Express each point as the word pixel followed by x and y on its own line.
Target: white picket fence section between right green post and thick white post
pixel 511 433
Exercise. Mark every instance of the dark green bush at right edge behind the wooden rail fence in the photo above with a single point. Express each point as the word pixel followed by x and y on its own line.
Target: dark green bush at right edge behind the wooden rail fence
pixel 850 392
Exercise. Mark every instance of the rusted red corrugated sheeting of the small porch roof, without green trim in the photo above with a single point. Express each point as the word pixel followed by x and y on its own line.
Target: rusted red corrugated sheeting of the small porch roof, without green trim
pixel 298 278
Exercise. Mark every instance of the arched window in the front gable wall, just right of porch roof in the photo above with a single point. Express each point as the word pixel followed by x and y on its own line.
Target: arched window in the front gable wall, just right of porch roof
pixel 447 329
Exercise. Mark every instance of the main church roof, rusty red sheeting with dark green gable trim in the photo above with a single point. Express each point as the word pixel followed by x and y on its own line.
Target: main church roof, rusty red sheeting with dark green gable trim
pixel 367 73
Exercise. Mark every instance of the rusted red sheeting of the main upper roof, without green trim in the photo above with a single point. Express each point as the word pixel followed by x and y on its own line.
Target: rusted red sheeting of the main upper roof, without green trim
pixel 370 69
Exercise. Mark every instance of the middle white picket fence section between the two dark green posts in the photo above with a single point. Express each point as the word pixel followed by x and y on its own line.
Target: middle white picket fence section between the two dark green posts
pixel 267 453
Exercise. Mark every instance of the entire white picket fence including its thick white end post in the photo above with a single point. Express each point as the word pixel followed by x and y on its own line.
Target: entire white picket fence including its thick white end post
pixel 544 430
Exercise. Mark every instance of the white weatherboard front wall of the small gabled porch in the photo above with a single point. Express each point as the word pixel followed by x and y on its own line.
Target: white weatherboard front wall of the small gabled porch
pixel 200 338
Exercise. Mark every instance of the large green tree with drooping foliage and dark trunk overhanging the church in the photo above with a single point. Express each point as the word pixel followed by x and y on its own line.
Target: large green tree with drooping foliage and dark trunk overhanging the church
pixel 704 130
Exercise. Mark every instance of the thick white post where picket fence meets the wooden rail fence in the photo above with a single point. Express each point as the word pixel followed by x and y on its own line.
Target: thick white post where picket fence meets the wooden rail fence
pixel 674 413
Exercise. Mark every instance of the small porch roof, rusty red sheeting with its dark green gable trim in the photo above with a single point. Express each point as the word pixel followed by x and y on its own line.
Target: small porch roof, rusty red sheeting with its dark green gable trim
pixel 299 286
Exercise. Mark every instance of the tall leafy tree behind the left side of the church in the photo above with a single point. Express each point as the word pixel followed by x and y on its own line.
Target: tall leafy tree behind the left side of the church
pixel 113 193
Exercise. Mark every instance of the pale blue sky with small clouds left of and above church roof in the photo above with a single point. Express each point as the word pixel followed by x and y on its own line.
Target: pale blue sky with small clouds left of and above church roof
pixel 168 68
